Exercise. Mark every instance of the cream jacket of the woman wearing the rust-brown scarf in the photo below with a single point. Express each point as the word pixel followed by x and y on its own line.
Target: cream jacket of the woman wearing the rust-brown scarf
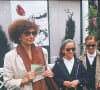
pixel 14 70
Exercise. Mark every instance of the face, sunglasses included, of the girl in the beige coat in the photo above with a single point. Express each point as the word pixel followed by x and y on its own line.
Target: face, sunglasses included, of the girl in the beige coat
pixel 91 46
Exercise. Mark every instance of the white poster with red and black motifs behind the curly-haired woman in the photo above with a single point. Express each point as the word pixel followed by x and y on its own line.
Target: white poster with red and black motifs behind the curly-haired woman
pixel 34 11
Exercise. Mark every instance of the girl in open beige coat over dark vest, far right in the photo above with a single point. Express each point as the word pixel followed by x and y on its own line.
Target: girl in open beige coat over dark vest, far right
pixel 91 61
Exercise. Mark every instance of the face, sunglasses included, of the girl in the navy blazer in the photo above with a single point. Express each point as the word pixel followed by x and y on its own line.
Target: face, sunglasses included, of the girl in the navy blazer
pixel 69 50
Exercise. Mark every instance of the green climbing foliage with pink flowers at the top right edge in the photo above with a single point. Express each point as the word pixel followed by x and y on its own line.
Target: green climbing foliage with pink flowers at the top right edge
pixel 94 29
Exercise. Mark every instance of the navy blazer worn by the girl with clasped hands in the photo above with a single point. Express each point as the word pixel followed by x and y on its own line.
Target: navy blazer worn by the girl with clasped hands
pixel 61 73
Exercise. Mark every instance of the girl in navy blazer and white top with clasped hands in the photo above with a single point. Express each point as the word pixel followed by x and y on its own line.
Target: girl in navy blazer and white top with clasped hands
pixel 69 73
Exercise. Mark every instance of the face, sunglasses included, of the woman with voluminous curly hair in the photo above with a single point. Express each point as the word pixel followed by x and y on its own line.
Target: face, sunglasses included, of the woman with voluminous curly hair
pixel 28 37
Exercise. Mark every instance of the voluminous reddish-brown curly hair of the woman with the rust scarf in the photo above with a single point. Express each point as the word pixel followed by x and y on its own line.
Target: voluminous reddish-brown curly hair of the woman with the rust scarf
pixel 16 29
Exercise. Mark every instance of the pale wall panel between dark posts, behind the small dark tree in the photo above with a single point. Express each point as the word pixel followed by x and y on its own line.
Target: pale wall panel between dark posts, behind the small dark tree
pixel 57 22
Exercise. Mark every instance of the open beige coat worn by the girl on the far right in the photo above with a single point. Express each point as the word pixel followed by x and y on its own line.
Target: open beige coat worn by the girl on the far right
pixel 83 59
